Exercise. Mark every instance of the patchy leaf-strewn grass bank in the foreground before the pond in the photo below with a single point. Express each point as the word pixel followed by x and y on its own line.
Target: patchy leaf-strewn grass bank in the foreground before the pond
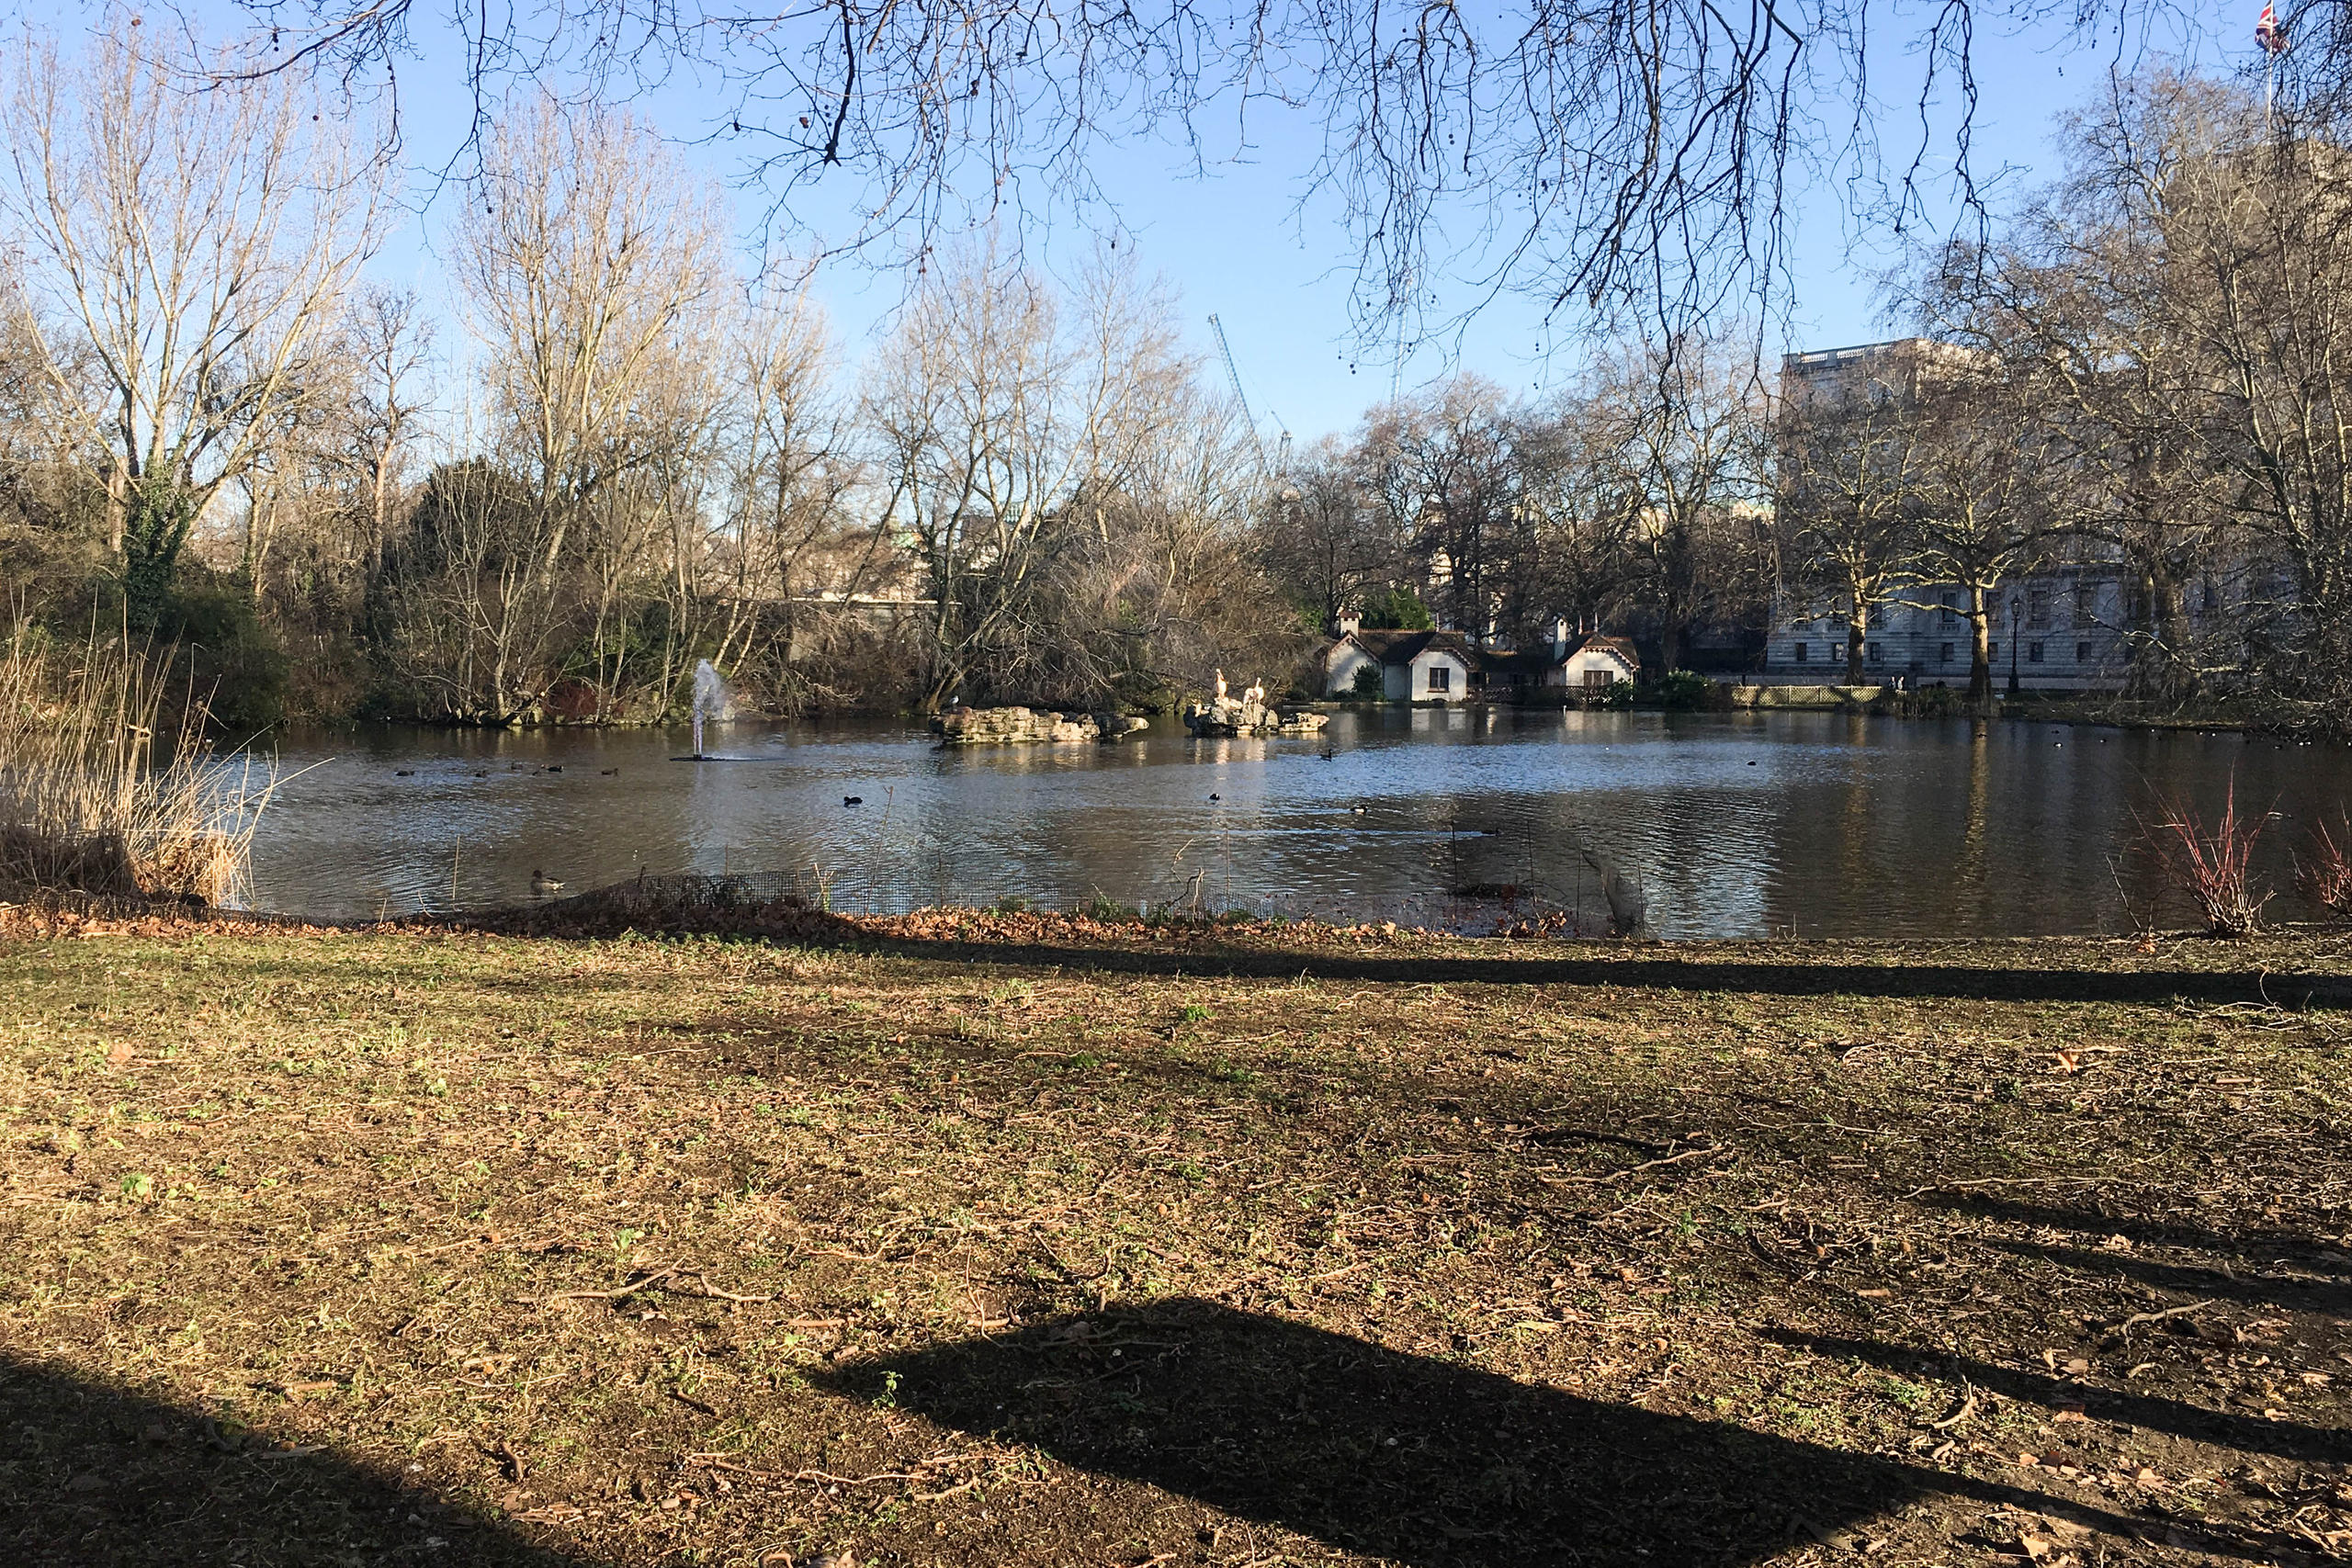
pixel 1029 1240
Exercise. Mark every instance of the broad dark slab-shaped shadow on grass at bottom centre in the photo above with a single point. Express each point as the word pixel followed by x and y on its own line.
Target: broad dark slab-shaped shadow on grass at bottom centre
pixel 1410 1459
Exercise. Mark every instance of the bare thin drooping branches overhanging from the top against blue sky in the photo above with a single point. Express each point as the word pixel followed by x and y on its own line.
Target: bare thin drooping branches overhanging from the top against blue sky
pixel 1577 152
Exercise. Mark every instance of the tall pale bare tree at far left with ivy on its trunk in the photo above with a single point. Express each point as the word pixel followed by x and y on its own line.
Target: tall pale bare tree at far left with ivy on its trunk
pixel 196 246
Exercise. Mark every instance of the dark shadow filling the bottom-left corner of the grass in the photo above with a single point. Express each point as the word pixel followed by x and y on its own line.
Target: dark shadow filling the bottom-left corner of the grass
pixel 95 1475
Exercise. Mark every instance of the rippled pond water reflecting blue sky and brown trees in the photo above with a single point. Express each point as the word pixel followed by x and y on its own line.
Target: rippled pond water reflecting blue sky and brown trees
pixel 1732 824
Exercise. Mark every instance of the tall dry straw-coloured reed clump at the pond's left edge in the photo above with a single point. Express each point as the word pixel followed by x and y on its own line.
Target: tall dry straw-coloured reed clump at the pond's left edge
pixel 88 798
